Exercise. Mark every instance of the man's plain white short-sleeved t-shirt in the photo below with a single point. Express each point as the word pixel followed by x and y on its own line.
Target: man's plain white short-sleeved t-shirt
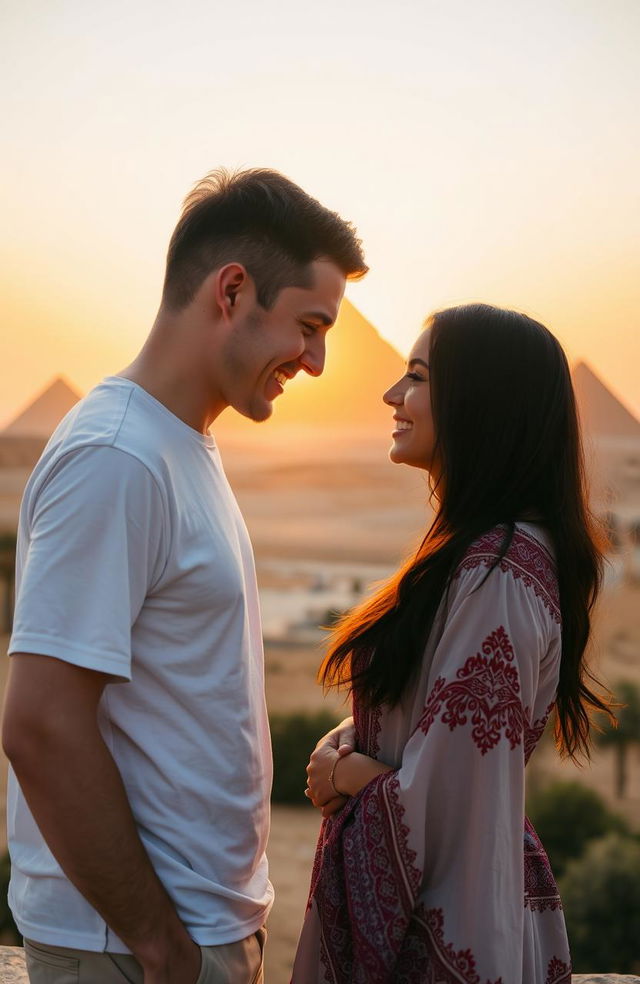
pixel 133 559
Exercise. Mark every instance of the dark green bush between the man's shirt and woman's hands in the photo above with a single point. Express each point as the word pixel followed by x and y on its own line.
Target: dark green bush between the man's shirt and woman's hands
pixel 293 737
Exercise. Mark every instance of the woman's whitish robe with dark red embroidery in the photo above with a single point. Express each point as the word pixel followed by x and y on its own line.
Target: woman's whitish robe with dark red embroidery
pixel 431 874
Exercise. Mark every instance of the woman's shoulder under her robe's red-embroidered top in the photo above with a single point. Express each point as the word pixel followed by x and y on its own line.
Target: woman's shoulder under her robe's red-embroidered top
pixel 528 562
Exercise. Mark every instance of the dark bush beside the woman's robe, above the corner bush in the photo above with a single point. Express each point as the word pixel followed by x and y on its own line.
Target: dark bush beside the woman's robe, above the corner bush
pixel 567 816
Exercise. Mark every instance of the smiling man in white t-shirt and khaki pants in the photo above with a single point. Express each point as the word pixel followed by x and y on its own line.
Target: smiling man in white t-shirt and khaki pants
pixel 135 720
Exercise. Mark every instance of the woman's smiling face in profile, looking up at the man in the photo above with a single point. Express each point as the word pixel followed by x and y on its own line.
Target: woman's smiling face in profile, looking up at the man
pixel 414 434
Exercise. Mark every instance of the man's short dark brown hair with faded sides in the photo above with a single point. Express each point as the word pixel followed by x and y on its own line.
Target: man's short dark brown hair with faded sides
pixel 266 222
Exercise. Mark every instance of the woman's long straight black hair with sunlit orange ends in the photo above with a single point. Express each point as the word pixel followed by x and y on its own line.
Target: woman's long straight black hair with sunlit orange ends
pixel 508 447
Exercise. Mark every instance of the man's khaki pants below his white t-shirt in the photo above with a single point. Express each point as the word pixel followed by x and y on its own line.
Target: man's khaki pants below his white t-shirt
pixel 230 963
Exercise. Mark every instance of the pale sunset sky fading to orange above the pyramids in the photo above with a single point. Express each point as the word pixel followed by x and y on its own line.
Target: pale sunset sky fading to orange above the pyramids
pixel 484 150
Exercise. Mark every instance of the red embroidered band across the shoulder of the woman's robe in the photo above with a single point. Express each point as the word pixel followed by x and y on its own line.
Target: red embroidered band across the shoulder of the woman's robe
pixel 526 559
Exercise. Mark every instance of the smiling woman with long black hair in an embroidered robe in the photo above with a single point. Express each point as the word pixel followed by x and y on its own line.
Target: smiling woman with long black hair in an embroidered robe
pixel 430 872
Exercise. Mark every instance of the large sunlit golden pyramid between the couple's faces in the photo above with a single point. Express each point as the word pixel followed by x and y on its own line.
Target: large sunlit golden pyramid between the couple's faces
pixel 360 366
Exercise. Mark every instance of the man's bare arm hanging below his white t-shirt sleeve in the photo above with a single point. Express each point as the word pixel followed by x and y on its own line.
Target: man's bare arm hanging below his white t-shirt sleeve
pixel 77 797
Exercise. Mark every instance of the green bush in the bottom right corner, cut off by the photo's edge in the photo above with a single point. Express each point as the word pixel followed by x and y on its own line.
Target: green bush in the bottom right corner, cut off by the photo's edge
pixel 601 898
